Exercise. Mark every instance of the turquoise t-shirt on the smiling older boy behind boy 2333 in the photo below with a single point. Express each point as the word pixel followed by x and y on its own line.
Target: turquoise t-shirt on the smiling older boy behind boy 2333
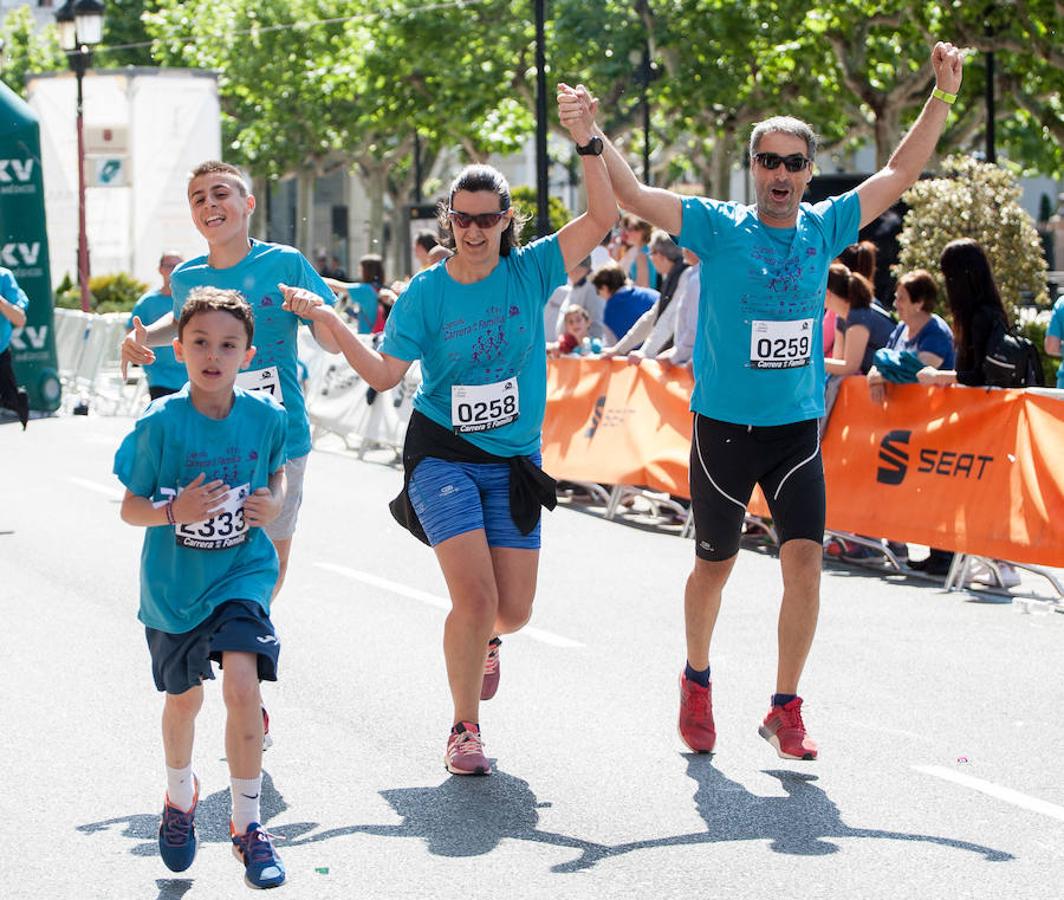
pixel 257 277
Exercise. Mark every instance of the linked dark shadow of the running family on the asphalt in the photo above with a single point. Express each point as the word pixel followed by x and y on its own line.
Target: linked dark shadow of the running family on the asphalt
pixel 467 816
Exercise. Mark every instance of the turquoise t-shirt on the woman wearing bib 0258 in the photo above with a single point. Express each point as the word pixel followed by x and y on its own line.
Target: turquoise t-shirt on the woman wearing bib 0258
pixel 481 335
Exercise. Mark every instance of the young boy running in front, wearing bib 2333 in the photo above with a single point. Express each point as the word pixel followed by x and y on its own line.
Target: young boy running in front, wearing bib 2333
pixel 205 474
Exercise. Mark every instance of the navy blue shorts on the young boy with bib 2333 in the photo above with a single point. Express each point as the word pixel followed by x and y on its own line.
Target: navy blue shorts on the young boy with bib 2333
pixel 180 662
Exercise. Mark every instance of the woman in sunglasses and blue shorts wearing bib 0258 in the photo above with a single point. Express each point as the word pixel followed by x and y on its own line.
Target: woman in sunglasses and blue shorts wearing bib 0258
pixel 474 487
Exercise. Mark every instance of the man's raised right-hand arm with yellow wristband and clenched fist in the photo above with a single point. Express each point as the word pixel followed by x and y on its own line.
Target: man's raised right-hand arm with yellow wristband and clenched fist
pixel 883 190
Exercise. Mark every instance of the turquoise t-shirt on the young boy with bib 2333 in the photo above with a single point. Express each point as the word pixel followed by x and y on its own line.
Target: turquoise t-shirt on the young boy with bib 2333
pixel 188 573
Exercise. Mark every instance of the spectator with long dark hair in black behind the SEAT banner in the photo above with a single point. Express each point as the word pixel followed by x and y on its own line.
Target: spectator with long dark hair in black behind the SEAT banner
pixel 976 307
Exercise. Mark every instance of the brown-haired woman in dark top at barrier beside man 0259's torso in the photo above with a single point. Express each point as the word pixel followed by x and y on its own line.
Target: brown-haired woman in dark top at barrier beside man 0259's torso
pixel 861 328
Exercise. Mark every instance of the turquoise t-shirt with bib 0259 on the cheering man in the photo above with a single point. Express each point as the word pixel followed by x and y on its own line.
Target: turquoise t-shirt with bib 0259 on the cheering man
pixel 758 352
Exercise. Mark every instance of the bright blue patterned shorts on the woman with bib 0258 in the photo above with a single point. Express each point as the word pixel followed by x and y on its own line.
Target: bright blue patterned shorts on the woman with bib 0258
pixel 454 498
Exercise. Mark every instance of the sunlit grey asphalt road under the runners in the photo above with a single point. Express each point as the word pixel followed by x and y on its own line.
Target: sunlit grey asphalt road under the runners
pixel 938 720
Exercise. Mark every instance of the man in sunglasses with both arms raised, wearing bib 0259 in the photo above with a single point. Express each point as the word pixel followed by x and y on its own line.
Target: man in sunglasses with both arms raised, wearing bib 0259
pixel 759 376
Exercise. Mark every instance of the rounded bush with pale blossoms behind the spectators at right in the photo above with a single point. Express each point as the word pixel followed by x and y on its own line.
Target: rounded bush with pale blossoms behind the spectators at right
pixel 980 202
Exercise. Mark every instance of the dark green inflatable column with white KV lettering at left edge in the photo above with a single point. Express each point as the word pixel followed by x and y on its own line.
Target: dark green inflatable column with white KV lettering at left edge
pixel 24 249
